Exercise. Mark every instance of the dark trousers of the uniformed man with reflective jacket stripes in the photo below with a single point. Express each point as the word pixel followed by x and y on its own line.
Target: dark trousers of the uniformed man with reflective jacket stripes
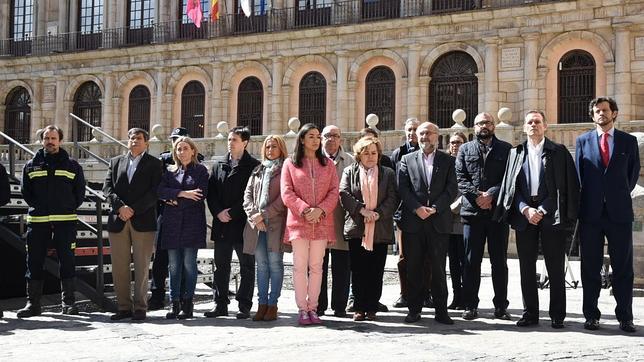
pixel 62 235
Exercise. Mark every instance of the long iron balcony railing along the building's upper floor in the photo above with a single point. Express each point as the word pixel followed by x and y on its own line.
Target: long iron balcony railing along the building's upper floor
pixel 274 20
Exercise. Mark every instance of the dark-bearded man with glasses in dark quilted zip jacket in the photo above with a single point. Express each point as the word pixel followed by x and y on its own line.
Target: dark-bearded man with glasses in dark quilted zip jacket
pixel 480 166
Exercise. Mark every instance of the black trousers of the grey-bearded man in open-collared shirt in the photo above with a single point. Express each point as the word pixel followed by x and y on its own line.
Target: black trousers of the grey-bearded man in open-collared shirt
pixel 418 246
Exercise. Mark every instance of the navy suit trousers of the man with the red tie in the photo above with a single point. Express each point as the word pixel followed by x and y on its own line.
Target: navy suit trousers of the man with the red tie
pixel 620 249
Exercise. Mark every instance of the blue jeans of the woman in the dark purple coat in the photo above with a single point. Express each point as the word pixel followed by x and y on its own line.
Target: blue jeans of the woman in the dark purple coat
pixel 183 266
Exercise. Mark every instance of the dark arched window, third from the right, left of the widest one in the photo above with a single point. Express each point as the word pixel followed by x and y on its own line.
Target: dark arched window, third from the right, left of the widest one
pixel 380 96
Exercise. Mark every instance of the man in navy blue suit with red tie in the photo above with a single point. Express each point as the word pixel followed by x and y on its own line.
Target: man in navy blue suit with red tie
pixel 608 165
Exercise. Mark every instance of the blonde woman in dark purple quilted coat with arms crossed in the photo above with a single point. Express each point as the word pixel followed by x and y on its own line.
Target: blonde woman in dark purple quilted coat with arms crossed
pixel 183 187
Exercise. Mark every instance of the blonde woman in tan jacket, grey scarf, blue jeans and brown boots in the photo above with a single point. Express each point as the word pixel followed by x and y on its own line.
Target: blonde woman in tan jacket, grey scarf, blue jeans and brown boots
pixel 265 227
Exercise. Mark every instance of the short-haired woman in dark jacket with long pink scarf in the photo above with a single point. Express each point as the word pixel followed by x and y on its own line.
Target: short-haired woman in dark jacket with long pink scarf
pixel 368 194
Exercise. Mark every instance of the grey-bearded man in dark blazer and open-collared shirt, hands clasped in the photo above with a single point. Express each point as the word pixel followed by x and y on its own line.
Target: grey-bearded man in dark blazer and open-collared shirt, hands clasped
pixel 427 187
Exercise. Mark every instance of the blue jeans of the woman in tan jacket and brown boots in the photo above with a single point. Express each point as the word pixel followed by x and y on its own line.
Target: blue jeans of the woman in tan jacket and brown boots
pixel 269 268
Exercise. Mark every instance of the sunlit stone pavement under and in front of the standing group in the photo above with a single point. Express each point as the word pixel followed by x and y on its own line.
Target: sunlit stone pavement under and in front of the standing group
pixel 92 336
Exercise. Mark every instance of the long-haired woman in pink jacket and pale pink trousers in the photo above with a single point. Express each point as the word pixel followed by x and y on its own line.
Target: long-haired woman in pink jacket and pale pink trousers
pixel 310 191
